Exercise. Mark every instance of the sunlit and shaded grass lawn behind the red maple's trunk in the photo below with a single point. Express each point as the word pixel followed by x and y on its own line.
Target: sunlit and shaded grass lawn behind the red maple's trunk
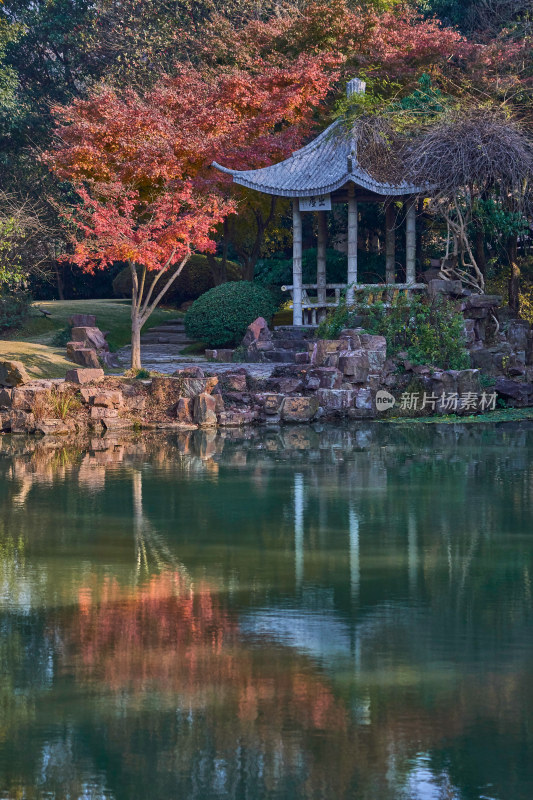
pixel 33 343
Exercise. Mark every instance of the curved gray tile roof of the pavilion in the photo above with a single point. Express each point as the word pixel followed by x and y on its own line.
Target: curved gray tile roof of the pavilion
pixel 321 167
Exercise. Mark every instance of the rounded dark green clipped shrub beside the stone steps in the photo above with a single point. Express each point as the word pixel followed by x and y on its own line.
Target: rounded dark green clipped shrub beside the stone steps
pixel 220 316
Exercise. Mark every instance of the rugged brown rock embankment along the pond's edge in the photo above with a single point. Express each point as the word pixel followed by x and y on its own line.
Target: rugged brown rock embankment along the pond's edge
pixel 338 378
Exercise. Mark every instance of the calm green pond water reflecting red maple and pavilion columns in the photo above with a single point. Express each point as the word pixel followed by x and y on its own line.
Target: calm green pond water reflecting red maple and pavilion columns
pixel 335 613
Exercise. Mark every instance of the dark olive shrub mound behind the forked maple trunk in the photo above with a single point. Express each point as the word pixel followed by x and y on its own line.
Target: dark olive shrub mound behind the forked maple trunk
pixel 195 279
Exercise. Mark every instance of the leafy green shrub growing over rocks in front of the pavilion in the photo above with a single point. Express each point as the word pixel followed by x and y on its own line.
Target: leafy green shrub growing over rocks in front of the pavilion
pixel 430 331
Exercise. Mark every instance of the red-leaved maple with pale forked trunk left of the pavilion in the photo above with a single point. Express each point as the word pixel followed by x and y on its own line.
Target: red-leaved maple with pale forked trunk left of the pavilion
pixel 140 164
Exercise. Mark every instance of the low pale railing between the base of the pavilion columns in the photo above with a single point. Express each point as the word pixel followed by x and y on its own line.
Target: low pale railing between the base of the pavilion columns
pixel 314 311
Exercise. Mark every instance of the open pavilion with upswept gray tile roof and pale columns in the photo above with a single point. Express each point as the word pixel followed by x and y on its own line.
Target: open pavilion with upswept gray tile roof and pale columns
pixel 324 172
